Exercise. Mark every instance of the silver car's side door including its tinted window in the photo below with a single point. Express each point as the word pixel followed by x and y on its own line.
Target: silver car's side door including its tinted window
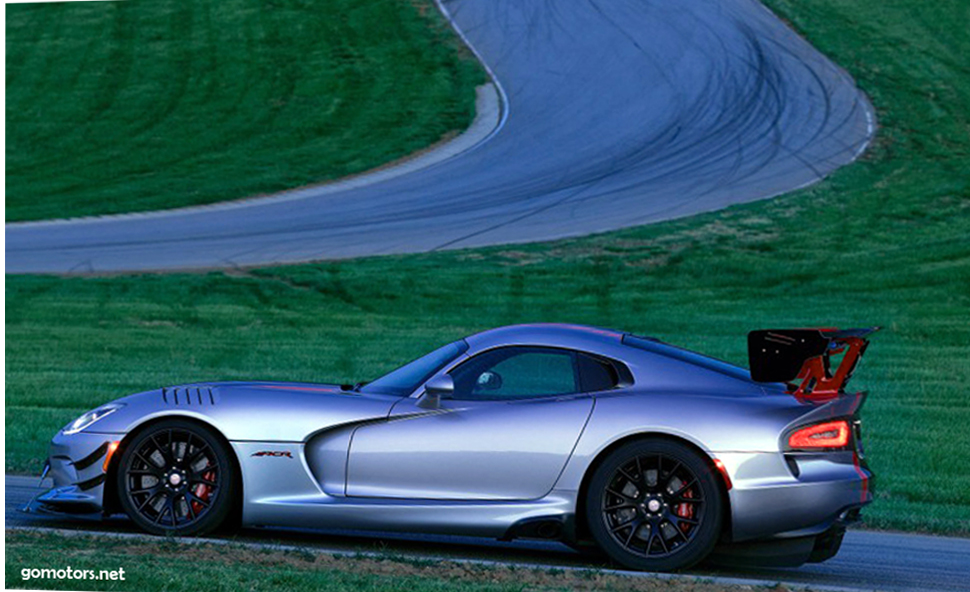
pixel 505 433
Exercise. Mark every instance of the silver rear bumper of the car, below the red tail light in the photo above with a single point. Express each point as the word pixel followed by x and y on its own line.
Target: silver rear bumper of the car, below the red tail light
pixel 774 497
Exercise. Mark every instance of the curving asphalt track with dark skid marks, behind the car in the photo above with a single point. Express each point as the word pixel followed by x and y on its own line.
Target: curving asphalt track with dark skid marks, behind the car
pixel 614 113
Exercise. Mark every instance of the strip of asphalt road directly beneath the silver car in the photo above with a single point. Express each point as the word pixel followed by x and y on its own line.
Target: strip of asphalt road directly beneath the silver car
pixel 867 561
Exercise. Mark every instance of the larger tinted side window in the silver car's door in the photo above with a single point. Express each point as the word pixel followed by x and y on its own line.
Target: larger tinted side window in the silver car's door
pixel 517 373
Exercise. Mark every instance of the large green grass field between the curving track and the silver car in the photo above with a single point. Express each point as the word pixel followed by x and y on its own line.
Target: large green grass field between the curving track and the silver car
pixel 884 241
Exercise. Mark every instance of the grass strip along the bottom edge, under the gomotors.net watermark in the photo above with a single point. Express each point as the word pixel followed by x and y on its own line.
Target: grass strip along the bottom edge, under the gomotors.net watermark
pixel 170 566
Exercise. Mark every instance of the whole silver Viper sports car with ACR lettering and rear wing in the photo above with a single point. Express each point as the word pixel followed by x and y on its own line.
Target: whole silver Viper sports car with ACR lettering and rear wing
pixel 655 454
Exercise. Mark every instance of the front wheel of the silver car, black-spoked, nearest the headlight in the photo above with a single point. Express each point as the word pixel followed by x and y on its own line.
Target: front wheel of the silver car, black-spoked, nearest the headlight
pixel 176 477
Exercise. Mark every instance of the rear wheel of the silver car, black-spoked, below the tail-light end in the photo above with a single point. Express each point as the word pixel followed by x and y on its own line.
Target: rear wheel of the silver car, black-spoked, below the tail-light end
pixel 654 505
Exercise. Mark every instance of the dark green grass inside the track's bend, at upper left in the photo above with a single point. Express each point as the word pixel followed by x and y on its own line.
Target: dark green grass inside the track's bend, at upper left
pixel 128 106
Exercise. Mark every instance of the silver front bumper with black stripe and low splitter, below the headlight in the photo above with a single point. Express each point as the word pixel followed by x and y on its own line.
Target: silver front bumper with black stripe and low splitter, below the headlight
pixel 77 465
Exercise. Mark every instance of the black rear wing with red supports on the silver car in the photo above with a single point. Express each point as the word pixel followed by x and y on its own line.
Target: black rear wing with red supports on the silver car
pixel 802 358
